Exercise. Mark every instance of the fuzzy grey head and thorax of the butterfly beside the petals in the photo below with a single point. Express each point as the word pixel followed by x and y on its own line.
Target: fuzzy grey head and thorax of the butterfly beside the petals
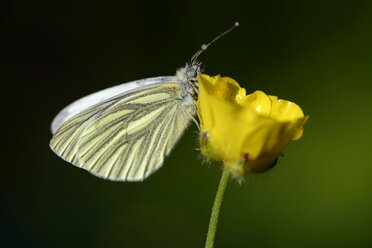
pixel 188 76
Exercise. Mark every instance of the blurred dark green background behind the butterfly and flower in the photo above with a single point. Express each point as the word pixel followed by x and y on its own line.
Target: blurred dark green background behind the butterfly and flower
pixel 315 53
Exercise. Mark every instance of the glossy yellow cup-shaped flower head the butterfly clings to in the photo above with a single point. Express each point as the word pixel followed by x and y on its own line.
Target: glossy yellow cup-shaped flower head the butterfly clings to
pixel 246 132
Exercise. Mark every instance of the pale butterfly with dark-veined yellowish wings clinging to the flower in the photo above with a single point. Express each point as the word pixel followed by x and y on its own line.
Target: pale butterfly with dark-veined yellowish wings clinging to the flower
pixel 124 133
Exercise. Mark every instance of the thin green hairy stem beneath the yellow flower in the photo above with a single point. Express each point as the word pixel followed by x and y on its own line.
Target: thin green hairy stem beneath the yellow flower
pixel 216 208
